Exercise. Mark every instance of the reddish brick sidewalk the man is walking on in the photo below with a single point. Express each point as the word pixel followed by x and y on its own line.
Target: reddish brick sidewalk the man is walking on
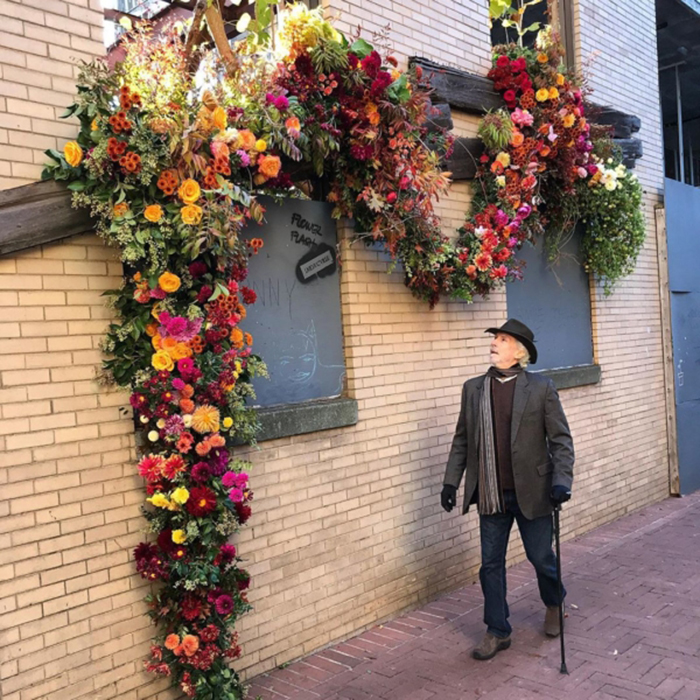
pixel 634 631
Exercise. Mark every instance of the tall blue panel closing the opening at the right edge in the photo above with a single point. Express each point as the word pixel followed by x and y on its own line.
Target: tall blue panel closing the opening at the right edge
pixel 683 239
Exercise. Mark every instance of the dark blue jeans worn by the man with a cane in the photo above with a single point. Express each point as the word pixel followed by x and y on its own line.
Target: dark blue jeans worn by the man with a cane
pixel 537 537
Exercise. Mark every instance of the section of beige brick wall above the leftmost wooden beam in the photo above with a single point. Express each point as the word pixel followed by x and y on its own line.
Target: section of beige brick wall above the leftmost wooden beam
pixel 40 42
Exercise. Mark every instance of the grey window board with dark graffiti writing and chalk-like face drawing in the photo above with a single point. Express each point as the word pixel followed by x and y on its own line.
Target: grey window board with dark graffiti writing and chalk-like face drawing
pixel 295 323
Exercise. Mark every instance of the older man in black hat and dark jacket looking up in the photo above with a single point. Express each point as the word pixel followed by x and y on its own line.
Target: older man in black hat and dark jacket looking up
pixel 513 444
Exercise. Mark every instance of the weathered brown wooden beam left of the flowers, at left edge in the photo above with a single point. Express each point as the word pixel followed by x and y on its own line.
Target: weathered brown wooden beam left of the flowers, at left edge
pixel 37 214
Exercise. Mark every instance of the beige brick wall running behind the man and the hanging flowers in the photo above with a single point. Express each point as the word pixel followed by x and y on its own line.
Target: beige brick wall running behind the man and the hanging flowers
pixel 347 529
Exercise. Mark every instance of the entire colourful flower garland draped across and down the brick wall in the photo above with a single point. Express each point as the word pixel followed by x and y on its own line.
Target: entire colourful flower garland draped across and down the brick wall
pixel 170 165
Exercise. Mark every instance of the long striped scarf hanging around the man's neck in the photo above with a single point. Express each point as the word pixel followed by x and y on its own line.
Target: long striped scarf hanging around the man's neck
pixel 490 501
